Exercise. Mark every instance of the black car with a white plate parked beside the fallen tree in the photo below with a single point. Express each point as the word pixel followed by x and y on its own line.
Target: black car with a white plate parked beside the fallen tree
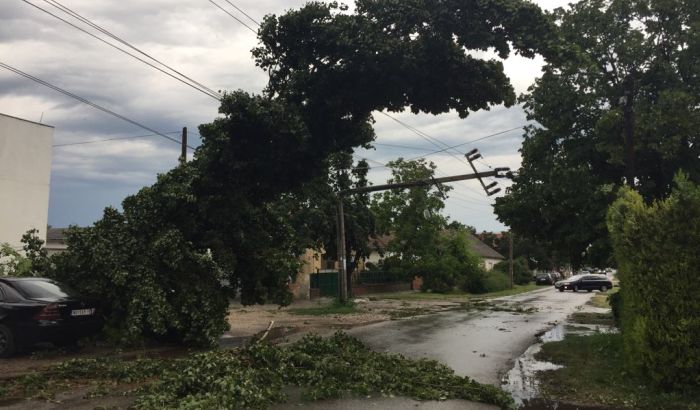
pixel 34 310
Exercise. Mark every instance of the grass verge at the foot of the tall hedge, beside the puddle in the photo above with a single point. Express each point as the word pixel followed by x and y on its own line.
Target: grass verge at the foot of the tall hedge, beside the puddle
pixel 595 374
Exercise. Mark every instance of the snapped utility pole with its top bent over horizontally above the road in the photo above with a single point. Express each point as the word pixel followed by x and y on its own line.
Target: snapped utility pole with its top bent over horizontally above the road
pixel 342 276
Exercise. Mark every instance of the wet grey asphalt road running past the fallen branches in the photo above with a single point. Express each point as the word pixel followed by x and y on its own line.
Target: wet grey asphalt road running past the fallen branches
pixel 480 344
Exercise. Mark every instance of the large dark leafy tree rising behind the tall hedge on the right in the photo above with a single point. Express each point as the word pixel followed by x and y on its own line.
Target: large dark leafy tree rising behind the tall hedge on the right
pixel 624 110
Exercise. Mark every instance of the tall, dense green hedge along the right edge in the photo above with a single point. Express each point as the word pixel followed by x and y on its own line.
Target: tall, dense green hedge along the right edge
pixel 657 249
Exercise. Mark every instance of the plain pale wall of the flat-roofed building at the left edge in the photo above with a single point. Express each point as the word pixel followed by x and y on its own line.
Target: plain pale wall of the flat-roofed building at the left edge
pixel 25 175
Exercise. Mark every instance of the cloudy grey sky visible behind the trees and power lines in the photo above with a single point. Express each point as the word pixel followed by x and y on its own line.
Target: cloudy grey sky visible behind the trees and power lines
pixel 200 40
